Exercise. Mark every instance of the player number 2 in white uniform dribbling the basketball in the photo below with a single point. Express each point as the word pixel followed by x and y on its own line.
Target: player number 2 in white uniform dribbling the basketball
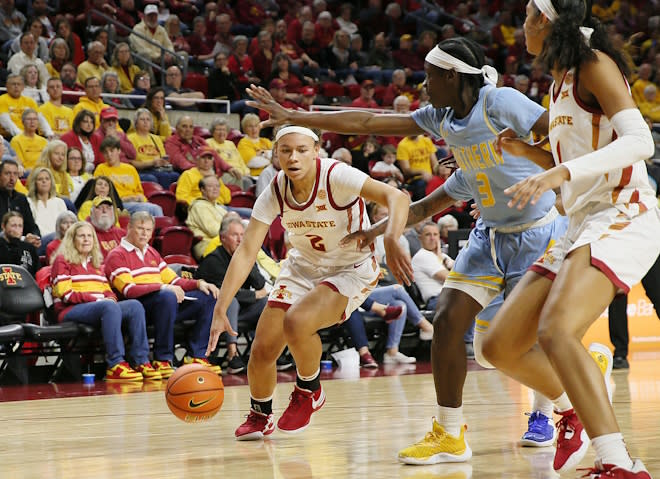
pixel 320 284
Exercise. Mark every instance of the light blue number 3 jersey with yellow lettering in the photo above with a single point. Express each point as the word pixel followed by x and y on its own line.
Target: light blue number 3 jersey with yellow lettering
pixel 483 174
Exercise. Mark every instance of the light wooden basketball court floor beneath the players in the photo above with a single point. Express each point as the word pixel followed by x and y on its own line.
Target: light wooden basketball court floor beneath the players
pixel 356 435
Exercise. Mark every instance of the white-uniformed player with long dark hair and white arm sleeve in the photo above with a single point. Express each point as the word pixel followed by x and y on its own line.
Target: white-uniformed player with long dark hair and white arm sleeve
pixel 599 143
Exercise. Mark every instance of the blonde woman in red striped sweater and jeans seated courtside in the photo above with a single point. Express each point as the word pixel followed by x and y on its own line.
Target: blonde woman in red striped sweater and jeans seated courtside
pixel 82 294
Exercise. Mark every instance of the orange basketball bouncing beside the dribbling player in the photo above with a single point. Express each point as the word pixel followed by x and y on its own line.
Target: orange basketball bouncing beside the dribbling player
pixel 194 393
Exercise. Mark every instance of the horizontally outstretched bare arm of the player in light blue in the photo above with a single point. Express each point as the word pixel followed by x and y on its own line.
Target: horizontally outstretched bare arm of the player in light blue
pixel 345 122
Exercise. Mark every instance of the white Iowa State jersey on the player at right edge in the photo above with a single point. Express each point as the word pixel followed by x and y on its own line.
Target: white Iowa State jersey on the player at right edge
pixel 577 129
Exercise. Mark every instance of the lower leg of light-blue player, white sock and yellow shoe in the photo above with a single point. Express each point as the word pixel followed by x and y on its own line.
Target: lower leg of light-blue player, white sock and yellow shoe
pixel 446 442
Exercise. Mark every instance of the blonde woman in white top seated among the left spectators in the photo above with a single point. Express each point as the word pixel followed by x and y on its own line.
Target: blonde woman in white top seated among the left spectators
pixel 43 200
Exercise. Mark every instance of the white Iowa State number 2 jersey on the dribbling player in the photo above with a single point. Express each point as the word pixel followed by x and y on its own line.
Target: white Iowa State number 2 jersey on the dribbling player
pixel 333 210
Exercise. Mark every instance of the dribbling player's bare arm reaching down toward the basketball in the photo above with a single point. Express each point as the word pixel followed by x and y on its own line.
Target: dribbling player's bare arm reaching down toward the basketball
pixel 238 271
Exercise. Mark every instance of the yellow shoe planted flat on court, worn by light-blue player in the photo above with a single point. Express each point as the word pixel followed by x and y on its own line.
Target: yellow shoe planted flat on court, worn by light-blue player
pixel 437 446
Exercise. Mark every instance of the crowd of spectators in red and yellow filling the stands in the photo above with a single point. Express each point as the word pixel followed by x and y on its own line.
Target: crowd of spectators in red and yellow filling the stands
pixel 71 151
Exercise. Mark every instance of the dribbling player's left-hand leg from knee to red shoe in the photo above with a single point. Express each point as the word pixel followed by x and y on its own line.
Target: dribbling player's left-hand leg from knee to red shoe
pixel 268 344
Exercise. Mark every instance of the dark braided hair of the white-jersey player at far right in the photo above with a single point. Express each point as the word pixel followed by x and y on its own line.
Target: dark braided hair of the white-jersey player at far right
pixel 565 47
